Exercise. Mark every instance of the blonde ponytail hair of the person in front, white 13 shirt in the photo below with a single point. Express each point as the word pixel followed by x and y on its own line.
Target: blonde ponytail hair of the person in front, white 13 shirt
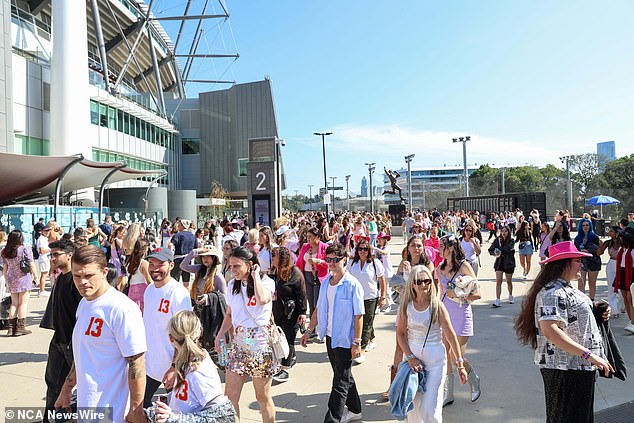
pixel 185 329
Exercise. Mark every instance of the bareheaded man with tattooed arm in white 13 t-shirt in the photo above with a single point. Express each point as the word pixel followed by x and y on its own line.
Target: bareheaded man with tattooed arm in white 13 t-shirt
pixel 108 344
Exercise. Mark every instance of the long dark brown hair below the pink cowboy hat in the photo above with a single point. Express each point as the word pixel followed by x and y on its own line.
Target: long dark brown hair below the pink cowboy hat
pixel 525 324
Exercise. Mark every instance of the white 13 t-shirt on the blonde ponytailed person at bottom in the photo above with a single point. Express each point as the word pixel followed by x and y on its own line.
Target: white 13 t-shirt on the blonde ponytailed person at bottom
pixel 199 388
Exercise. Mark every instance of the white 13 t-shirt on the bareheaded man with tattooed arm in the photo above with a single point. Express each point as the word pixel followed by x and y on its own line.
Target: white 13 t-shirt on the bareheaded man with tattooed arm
pixel 107 330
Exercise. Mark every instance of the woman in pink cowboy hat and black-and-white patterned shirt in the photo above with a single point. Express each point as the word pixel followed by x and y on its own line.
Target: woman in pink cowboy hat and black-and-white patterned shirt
pixel 567 342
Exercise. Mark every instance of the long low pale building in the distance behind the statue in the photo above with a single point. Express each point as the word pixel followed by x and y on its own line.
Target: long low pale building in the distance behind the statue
pixel 445 178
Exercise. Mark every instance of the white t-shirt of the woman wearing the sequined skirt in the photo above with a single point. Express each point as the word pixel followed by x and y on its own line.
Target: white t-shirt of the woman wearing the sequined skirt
pixel 261 312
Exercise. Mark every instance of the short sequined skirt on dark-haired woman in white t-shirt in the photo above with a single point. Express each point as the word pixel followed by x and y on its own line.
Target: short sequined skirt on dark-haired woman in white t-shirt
pixel 250 353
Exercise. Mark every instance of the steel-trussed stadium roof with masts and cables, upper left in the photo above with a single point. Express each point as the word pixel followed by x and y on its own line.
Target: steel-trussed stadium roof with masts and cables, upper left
pixel 128 43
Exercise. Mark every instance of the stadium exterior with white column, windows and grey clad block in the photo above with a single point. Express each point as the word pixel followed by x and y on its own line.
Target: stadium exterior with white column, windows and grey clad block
pixel 108 83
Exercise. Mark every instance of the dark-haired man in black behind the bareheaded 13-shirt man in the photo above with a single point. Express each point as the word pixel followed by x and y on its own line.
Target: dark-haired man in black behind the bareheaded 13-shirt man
pixel 64 301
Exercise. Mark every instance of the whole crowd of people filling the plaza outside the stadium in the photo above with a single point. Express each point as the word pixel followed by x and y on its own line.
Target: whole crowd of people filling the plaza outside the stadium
pixel 177 308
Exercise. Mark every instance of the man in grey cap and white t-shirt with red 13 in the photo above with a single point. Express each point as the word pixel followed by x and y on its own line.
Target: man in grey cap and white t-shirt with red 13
pixel 162 299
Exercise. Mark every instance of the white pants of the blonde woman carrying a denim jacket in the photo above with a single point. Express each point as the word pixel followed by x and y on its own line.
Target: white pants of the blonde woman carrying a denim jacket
pixel 428 405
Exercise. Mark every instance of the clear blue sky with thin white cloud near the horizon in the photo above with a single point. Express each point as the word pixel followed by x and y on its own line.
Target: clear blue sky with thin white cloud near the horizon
pixel 528 81
